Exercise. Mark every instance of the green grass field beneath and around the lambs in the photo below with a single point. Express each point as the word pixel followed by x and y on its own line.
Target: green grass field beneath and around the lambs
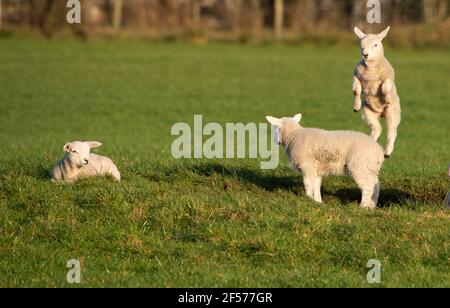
pixel 201 223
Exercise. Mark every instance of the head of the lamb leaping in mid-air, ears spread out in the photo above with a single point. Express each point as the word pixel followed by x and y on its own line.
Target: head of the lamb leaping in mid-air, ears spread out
pixel 372 44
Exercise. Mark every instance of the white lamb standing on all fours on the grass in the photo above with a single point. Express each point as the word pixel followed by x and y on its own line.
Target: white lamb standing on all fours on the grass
pixel 318 153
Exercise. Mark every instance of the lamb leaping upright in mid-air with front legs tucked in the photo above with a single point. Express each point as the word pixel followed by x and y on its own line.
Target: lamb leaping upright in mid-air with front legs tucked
pixel 374 88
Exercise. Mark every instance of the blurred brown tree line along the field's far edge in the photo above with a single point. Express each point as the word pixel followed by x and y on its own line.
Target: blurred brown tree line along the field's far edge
pixel 251 16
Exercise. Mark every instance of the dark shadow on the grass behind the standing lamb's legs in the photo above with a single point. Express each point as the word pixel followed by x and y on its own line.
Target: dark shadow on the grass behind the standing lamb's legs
pixel 294 183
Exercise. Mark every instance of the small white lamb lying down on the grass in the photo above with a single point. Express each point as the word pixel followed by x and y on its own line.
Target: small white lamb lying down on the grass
pixel 79 163
